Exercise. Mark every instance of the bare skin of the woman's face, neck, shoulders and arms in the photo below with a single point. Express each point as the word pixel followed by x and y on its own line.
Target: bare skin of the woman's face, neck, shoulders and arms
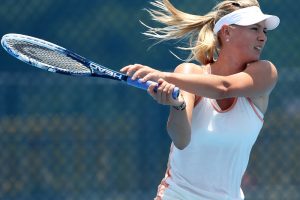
pixel 238 72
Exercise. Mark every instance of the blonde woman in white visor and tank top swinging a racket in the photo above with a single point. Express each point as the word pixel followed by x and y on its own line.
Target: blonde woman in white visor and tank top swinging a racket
pixel 219 113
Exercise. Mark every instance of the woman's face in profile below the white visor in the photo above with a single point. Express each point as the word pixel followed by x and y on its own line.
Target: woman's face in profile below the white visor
pixel 247 42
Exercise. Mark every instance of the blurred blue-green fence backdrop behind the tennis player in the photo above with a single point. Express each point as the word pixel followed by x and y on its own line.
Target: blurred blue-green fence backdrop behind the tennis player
pixel 78 138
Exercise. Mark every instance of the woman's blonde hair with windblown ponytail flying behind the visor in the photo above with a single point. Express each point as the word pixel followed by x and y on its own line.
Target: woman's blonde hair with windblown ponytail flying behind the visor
pixel 203 43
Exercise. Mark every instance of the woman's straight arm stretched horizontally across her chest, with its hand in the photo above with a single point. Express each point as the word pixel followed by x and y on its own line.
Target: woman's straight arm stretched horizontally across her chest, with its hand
pixel 258 79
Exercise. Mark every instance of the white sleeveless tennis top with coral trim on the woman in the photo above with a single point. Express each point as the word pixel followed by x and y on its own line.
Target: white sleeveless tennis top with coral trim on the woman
pixel 212 165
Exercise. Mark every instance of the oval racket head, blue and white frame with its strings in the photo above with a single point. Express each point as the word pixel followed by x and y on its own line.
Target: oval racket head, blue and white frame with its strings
pixel 45 55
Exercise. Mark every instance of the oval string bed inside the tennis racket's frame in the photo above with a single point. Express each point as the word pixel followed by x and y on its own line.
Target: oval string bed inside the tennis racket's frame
pixel 48 56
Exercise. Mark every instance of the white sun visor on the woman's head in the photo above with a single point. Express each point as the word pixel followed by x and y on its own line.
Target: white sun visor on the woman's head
pixel 247 16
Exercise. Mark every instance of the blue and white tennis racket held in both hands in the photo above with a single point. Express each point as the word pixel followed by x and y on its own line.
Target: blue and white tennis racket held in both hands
pixel 53 58
